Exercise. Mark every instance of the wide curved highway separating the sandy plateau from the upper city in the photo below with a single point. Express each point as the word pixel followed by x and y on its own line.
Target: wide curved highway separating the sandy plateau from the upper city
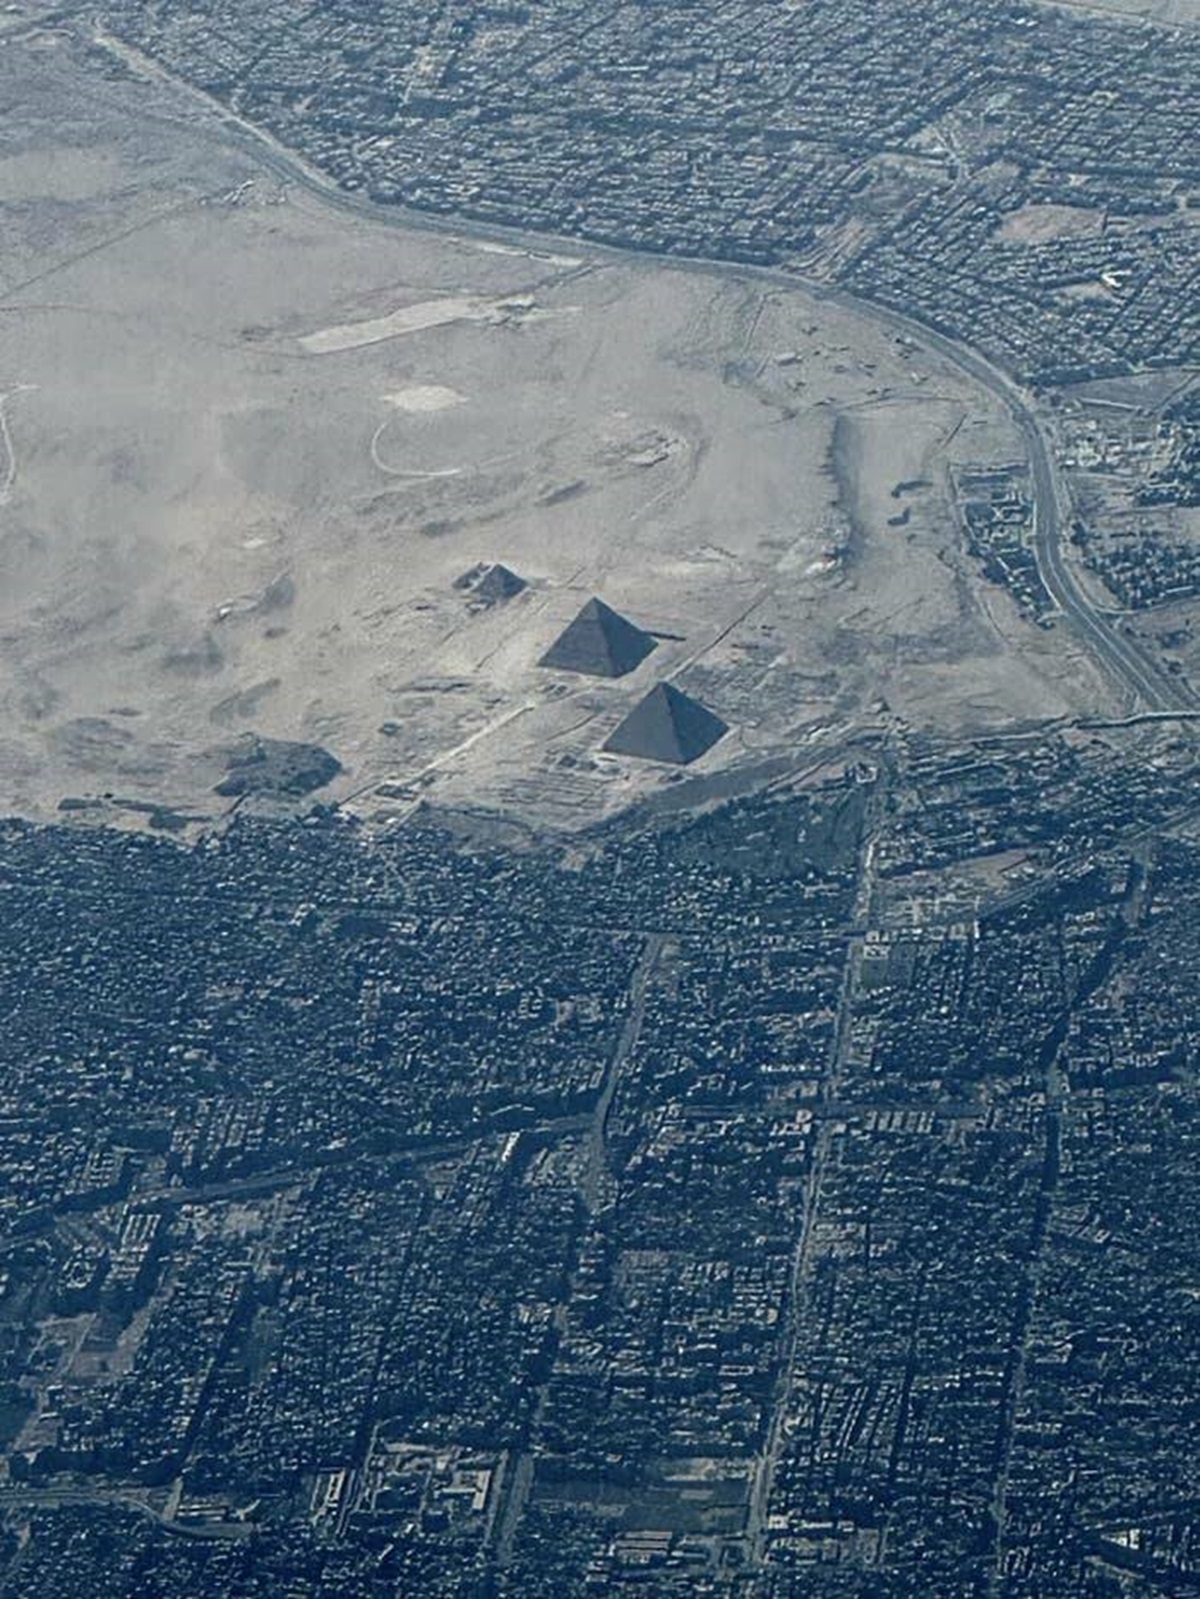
pixel 1126 663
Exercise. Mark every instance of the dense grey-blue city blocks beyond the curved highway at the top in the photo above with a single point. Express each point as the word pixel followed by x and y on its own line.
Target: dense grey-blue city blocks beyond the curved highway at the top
pixel 913 153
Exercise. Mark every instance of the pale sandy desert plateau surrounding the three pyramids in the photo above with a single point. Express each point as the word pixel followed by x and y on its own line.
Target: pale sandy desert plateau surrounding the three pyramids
pixel 249 445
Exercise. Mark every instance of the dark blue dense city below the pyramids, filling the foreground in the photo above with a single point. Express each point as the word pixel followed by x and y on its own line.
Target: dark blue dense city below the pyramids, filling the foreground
pixel 785 1200
